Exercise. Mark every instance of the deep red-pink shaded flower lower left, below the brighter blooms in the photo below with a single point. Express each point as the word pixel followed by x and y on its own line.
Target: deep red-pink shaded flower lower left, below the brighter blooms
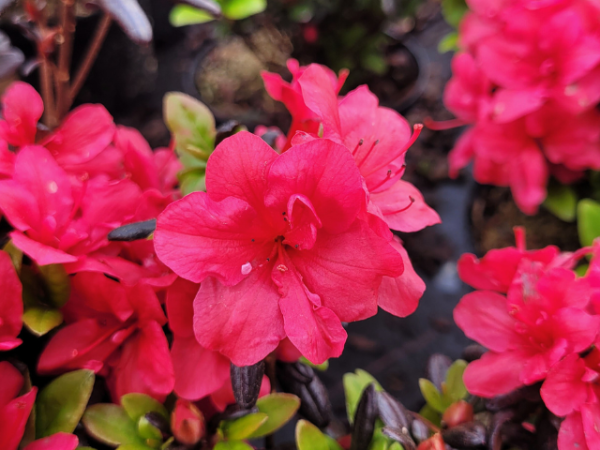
pixel 115 330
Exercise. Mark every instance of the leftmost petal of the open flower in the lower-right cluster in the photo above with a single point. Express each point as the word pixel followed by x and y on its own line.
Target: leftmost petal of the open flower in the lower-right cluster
pixel 483 317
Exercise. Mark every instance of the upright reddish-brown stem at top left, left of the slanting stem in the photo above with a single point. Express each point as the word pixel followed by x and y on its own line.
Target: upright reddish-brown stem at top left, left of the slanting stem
pixel 64 57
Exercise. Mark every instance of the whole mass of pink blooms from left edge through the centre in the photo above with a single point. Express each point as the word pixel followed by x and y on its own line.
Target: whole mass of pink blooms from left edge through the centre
pixel 282 248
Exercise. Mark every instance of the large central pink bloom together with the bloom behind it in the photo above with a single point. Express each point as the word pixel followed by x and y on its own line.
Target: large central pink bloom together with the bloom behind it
pixel 287 246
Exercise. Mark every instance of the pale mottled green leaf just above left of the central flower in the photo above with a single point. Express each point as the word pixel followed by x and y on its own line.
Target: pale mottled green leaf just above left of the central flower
pixel 191 124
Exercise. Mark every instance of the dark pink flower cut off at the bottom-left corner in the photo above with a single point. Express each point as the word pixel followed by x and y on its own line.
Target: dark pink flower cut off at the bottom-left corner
pixel 14 409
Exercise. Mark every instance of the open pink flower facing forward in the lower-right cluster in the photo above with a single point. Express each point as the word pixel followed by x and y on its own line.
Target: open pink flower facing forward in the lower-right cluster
pixel 541 320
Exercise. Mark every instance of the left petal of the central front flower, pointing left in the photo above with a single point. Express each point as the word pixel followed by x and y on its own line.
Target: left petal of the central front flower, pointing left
pixel 197 237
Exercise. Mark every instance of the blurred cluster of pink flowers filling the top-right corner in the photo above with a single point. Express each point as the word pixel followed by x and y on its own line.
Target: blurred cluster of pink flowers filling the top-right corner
pixel 527 79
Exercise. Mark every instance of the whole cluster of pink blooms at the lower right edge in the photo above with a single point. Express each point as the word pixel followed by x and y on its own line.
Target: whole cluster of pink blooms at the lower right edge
pixel 540 322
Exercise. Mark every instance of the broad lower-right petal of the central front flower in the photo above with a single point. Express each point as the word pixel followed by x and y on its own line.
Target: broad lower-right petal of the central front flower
pixel 346 269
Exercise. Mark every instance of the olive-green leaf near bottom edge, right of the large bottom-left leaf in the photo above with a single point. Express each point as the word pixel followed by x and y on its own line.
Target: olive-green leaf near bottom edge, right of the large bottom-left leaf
pixel 110 425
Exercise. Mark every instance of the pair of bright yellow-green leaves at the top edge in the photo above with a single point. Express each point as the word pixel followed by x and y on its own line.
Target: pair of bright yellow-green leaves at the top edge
pixel 182 15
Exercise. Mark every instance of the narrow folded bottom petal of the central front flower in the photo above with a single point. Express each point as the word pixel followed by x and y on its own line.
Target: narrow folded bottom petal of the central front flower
pixel 313 329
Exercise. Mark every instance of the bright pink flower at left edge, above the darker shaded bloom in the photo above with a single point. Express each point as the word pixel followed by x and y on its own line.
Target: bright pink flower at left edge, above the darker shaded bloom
pixel 55 221
